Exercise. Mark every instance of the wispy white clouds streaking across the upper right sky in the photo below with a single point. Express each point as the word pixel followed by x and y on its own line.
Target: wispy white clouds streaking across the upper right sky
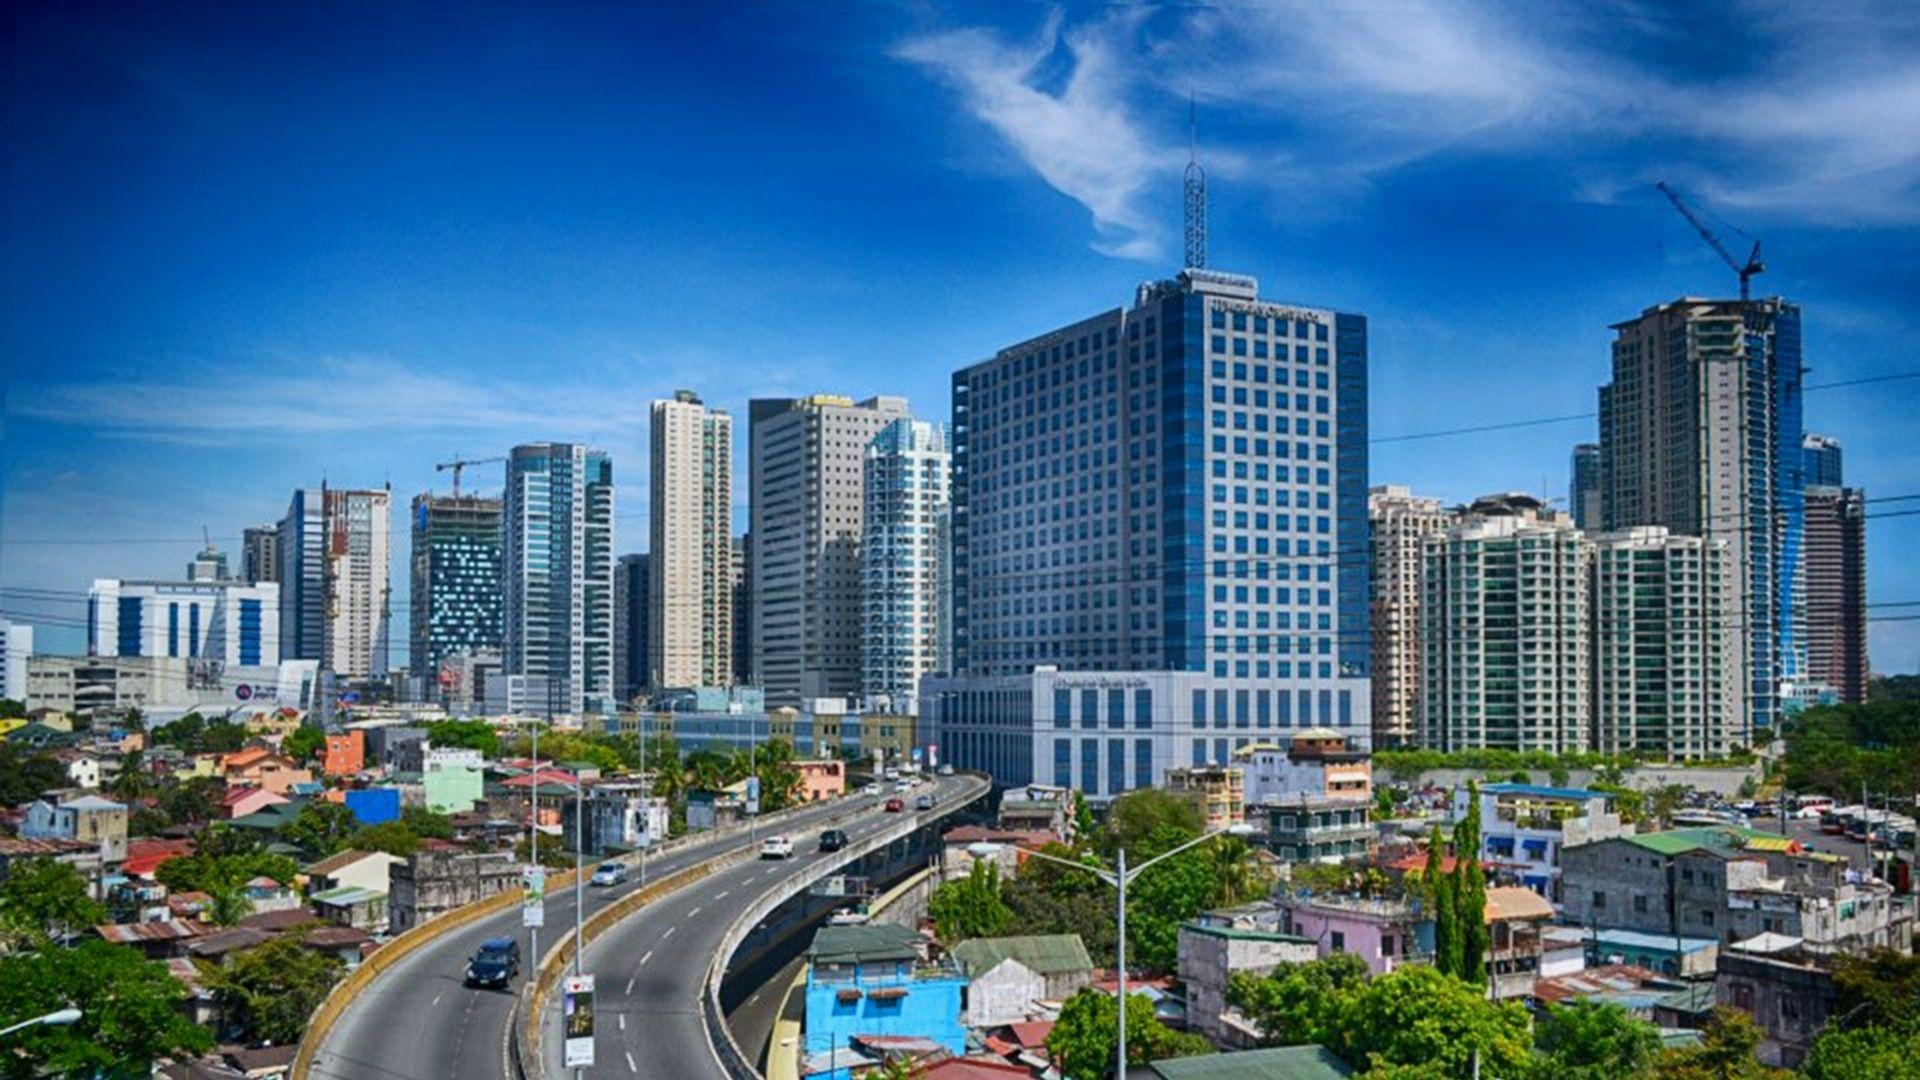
pixel 1815 118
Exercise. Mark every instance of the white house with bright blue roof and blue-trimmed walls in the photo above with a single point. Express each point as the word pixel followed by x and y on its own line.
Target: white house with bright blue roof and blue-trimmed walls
pixel 1527 827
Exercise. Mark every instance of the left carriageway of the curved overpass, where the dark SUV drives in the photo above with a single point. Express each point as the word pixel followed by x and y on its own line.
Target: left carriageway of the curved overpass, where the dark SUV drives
pixel 421 1023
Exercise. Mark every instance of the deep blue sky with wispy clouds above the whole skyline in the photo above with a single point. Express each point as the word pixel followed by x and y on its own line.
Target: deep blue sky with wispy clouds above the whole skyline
pixel 252 249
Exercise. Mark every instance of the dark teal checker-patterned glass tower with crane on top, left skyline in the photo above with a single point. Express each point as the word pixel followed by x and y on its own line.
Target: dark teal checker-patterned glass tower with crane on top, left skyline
pixel 456 581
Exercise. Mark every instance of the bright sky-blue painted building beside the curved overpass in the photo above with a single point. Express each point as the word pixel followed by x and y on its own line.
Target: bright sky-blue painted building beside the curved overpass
pixel 871 981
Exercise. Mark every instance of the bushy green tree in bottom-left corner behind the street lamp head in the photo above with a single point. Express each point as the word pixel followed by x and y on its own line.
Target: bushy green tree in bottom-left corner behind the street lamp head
pixel 130 1014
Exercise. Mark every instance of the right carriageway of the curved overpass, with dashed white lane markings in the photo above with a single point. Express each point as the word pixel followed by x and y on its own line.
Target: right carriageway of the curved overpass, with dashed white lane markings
pixel 652 970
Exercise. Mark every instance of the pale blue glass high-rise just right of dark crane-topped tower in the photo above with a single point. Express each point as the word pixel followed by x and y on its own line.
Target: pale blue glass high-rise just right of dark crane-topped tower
pixel 558 570
